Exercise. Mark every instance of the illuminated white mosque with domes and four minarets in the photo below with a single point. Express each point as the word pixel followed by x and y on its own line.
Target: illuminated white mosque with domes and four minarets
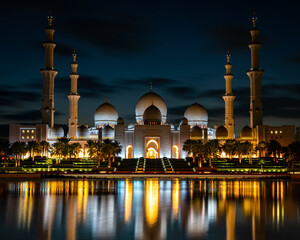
pixel 151 136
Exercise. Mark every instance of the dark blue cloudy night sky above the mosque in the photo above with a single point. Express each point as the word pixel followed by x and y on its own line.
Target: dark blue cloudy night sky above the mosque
pixel 122 46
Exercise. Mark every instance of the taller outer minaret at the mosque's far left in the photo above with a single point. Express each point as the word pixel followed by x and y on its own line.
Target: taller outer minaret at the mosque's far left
pixel 48 73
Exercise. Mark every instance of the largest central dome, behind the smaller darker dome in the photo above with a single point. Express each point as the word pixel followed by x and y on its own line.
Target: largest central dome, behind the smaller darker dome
pixel 148 99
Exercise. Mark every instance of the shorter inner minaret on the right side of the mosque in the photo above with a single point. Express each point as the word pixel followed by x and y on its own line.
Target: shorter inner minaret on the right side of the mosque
pixel 228 99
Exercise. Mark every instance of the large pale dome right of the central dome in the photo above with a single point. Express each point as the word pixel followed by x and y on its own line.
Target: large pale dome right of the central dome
pixel 196 114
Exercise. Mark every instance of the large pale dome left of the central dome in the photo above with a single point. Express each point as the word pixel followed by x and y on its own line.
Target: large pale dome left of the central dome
pixel 106 114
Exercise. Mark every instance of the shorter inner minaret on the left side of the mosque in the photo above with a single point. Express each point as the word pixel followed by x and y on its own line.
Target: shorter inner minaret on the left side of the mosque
pixel 73 99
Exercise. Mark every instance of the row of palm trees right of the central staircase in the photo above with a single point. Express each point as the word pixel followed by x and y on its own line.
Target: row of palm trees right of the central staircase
pixel 213 149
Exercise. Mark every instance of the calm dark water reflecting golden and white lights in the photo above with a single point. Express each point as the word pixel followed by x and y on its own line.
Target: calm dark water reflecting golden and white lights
pixel 150 209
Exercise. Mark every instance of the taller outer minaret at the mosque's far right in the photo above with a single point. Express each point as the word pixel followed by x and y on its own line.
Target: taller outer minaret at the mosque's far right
pixel 255 75
